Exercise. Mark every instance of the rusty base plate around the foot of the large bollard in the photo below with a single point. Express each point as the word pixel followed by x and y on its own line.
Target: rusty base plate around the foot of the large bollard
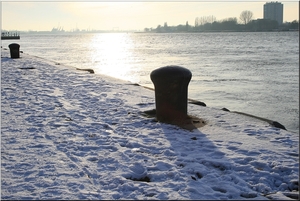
pixel 189 123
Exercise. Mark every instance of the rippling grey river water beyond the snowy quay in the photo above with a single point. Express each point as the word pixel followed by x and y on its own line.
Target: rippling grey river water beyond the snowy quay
pixel 251 72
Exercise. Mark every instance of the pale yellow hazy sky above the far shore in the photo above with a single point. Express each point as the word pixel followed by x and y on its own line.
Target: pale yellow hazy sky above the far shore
pixel 134 15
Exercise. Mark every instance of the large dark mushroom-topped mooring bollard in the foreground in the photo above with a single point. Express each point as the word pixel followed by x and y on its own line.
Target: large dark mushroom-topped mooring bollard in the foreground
pixel 171 93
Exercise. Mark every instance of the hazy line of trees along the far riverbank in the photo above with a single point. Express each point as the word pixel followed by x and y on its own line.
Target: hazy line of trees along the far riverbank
pixel 209 23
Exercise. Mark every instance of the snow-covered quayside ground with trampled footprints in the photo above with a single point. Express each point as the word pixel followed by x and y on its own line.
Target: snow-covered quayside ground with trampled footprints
pixel 69 134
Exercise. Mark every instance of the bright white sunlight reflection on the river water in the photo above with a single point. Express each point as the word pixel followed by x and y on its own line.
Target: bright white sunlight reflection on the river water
pixel 113 55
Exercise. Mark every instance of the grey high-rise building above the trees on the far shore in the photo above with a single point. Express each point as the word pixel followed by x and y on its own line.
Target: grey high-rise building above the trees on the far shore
pixel 274 11
